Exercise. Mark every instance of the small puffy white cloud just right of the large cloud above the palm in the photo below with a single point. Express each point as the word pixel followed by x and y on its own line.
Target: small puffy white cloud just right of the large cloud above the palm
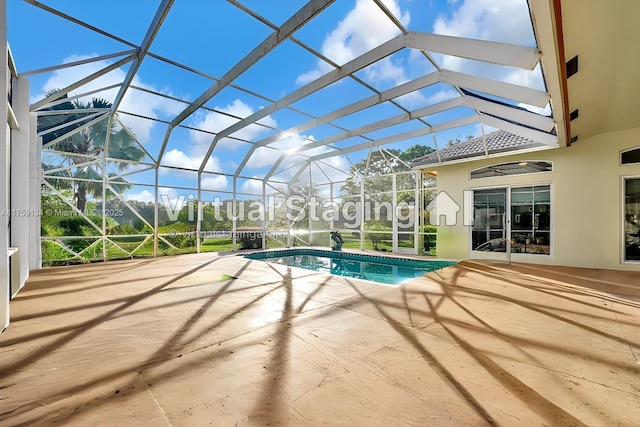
pixel 215 122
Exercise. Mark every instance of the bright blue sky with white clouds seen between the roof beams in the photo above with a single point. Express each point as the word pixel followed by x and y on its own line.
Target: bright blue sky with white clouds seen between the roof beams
pixel 212 36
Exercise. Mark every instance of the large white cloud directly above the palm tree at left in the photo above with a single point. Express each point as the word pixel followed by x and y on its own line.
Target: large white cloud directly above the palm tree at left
pixel 134 101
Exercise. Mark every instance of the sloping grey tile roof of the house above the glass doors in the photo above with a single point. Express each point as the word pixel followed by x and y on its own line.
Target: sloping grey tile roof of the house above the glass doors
pixel 497 142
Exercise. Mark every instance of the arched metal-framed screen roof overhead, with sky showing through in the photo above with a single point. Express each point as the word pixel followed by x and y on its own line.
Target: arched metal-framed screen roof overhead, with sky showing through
pixel 262 89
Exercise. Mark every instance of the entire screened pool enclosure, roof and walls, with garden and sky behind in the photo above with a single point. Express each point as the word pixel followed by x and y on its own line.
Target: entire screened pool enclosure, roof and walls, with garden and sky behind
pixel 239 124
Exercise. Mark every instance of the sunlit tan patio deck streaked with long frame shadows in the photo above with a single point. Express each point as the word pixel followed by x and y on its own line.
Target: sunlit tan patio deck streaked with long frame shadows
pixel 205 340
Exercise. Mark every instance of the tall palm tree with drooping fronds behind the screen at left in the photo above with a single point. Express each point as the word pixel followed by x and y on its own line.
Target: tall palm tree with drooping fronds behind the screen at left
pixel 79 148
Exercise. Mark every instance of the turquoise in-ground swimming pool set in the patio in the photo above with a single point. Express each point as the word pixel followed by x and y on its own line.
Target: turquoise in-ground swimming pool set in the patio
pixel 393 271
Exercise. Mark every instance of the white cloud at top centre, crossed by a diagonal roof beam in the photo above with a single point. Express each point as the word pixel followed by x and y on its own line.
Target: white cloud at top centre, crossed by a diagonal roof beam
pixel 364 28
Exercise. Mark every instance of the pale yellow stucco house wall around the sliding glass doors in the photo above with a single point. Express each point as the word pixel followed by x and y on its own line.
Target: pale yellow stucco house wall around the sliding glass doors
pixel 586 201
